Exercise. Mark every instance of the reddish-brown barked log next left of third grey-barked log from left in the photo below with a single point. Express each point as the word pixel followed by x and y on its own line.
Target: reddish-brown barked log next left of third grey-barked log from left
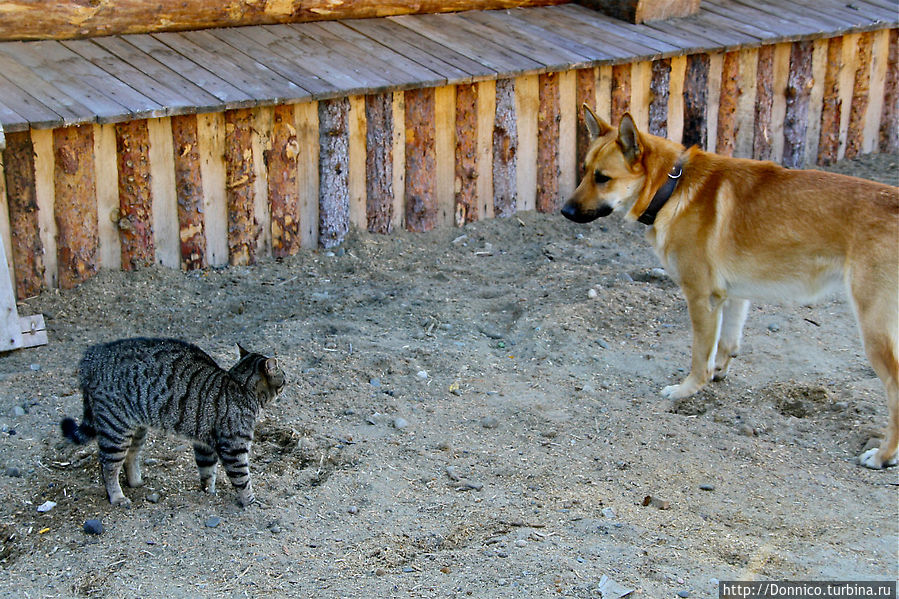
pixel 466 183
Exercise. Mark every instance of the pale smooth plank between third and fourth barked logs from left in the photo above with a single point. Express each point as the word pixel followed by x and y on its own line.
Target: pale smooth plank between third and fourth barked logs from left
pixel 162 184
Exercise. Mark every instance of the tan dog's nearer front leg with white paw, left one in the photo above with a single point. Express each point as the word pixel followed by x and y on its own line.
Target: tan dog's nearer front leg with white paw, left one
pixel 705 315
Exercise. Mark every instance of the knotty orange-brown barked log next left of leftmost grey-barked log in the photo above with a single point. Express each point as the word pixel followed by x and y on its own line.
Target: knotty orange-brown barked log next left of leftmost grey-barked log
pixel 283 186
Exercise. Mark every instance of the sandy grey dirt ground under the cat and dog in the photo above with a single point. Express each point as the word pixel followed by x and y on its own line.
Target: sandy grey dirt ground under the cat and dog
pixel 463 417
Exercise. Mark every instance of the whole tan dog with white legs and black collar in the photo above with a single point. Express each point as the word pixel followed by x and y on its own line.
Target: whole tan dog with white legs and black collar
pixel 729 230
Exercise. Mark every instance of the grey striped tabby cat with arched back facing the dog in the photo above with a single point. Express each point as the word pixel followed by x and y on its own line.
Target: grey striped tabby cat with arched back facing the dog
pixel 131 385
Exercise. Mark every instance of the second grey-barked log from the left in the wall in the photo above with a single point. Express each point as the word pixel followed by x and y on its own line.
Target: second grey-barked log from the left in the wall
pixel 379 162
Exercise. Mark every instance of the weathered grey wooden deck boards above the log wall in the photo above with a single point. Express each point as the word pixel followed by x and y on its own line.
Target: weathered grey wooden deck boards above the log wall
pixel 50 84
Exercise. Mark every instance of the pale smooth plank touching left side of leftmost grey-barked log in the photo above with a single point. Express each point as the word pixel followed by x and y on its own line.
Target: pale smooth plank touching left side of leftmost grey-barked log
pixel 308 165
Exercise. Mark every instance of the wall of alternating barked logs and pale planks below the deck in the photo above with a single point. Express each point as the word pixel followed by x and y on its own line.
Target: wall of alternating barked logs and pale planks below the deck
pixel 261 183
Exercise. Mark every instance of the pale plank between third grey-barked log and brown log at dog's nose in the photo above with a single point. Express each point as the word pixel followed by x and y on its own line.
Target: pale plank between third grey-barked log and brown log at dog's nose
pixel 527 103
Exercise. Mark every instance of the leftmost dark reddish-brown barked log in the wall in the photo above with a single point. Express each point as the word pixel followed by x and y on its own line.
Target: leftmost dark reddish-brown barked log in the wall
pixel 27 249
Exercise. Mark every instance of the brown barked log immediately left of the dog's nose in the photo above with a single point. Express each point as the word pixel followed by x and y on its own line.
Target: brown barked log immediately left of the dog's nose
pixel 548 118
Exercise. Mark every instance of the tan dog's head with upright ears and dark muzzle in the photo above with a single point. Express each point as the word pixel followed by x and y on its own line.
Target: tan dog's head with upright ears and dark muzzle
pixel 614 175
